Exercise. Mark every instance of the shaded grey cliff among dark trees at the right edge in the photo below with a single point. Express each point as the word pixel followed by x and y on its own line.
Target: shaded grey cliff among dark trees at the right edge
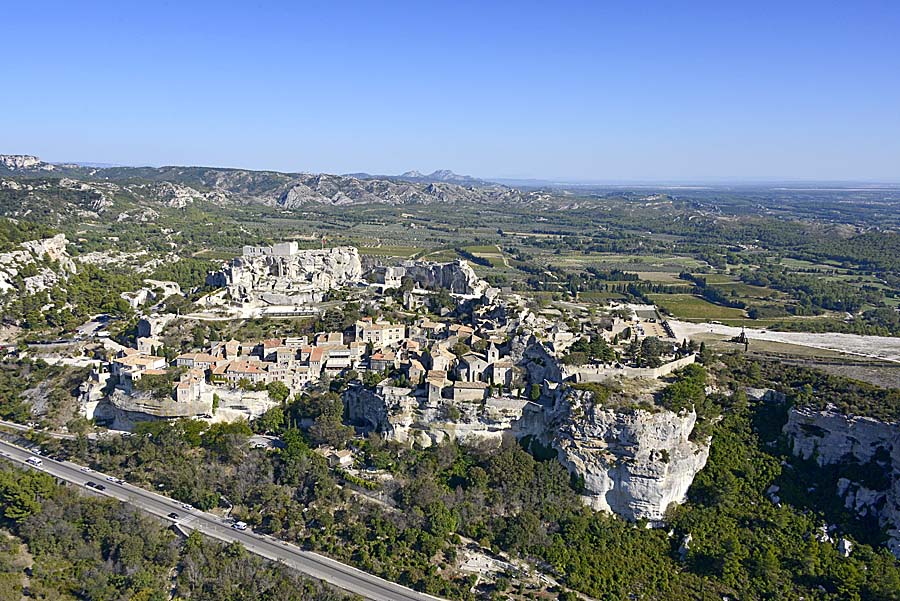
pixel 832 438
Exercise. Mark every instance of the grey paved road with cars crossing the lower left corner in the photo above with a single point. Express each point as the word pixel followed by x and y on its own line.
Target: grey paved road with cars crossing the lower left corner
pixel 311 564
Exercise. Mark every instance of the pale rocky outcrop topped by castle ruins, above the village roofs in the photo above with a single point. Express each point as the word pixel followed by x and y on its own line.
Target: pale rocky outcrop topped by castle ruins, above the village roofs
pixel 292 279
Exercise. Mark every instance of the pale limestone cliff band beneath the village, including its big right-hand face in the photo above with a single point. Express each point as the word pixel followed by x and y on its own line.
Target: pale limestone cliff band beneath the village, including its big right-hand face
pixel 635 463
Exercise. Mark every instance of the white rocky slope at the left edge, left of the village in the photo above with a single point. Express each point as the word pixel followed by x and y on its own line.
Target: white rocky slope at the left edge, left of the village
pixel 31 253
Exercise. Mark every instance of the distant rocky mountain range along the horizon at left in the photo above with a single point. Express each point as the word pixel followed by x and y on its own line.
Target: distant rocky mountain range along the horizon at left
pixel 28 184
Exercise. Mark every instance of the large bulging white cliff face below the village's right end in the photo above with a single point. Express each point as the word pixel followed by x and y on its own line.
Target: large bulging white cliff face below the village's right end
pixel 634 463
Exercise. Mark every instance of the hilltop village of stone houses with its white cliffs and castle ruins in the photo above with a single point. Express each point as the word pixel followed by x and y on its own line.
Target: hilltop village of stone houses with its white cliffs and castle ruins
pixel 435 352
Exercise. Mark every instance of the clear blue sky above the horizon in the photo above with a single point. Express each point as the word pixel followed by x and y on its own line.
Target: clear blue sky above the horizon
pixel 591 91
